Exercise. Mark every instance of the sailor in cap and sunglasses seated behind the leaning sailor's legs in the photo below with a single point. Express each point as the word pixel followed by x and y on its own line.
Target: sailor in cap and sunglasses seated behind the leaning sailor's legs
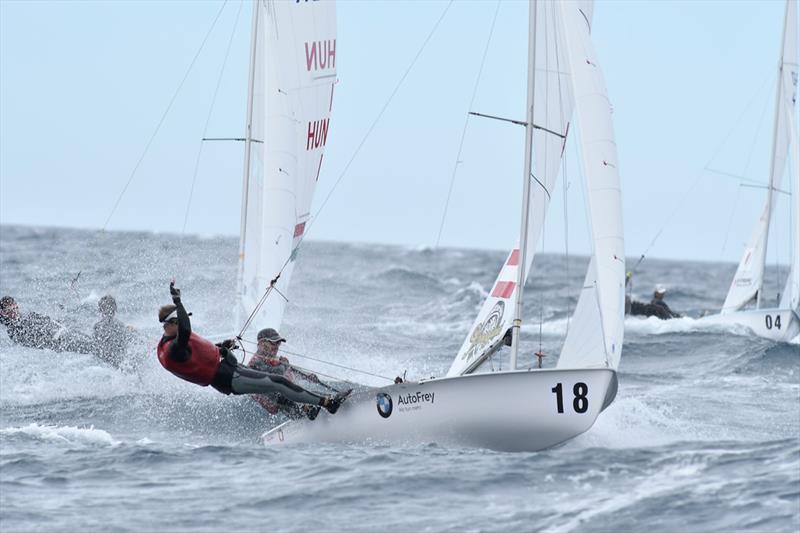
pixel 266 360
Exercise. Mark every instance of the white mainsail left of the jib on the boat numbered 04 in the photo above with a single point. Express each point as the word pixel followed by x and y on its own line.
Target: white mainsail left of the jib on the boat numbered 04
pixel 749 275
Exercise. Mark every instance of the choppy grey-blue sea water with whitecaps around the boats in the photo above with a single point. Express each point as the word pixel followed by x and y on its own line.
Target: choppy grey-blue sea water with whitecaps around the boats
pixel 704 434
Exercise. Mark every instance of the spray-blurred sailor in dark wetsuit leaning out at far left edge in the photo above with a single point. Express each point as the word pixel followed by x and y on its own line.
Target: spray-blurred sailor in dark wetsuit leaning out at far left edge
pixel 40 331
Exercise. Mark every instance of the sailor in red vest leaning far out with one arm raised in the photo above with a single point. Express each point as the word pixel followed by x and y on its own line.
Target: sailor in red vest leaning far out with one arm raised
pixel 197 360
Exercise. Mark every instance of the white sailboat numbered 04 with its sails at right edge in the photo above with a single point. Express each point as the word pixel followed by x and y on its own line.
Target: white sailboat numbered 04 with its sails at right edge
pixel 745 303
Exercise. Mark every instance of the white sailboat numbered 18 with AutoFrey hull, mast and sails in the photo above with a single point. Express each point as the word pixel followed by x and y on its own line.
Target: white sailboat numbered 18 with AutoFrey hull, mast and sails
pixel 521 409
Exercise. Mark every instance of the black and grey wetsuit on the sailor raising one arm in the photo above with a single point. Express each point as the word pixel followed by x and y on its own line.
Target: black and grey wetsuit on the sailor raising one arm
pixel 232 377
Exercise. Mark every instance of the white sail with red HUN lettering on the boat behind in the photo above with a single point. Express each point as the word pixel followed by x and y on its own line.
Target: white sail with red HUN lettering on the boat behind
pixel 292 81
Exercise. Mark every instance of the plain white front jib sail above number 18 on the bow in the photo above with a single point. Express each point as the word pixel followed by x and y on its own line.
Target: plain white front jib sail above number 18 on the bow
pixel 597 333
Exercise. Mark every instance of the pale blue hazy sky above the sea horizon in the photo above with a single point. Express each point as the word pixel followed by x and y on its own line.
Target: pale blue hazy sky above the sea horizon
pixel 83 86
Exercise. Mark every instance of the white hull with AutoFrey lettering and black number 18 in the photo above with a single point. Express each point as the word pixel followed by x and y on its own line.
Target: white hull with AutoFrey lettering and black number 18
pixel 507 411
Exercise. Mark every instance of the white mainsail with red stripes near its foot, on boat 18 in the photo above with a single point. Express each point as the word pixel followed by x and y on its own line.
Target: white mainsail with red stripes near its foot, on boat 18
pixel 552 111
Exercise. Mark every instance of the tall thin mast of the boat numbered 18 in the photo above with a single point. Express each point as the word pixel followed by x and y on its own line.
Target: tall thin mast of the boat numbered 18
pixel 526 180
